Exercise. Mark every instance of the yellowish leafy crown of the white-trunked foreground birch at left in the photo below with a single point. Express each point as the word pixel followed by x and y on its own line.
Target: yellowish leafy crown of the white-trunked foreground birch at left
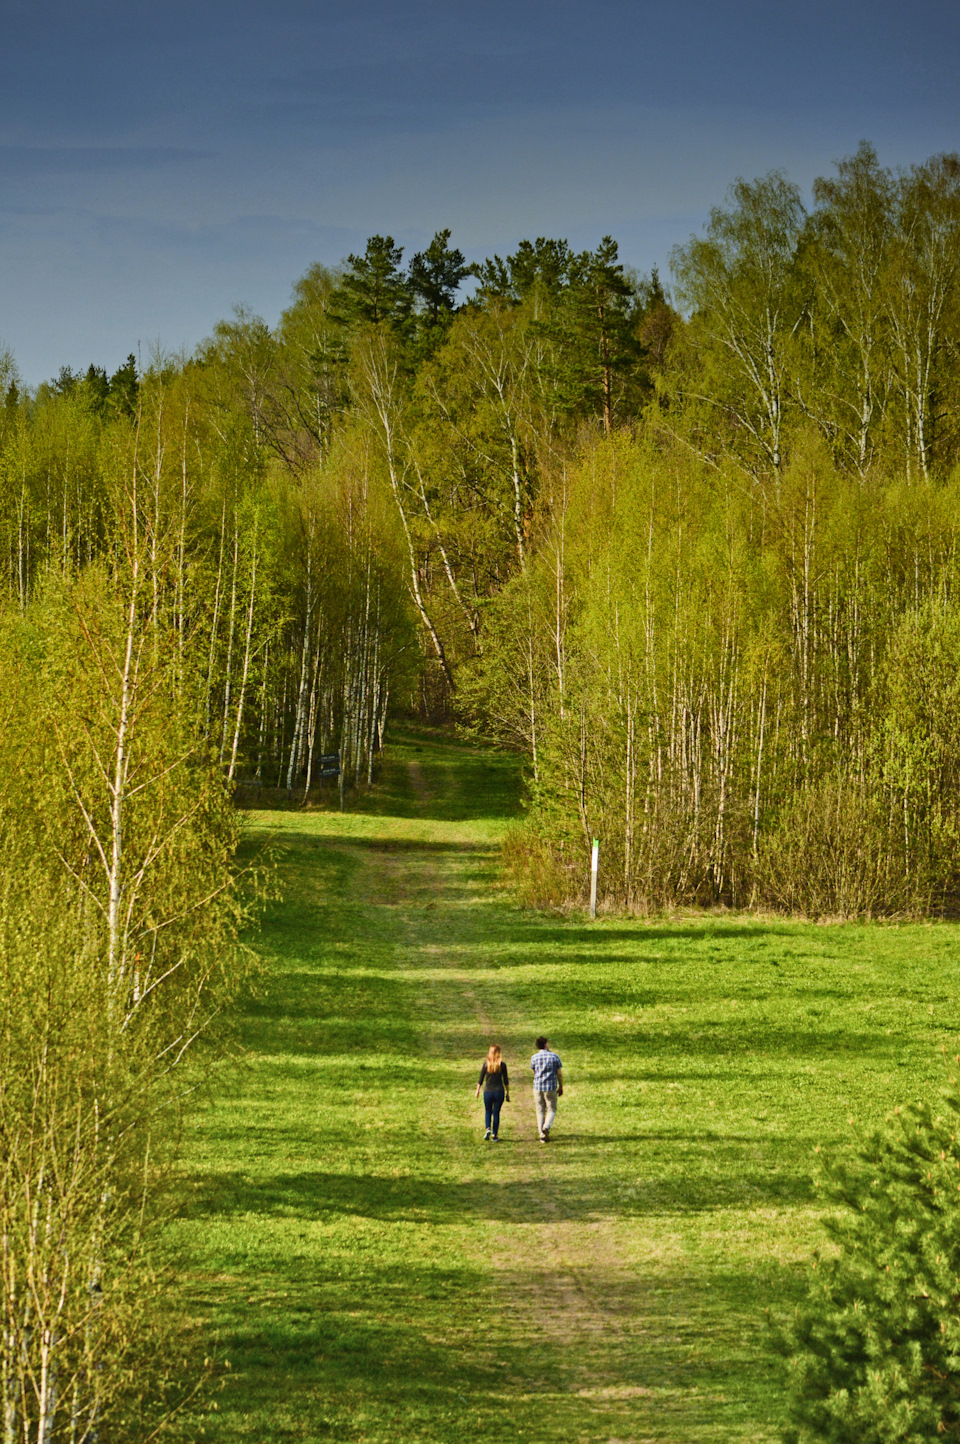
pixel 129 809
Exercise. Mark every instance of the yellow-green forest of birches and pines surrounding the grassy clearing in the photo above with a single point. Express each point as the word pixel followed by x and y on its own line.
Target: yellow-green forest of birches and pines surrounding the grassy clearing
pixel 691 549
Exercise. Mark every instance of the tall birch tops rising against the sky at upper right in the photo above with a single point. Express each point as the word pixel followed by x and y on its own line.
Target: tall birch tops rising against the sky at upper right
pixel 842 317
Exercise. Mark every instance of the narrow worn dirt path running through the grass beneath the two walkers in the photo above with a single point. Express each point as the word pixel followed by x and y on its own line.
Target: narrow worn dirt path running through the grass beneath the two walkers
pixel 564 1279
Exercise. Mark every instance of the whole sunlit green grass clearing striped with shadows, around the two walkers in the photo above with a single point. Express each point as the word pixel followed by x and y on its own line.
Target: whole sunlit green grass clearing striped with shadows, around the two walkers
pixel 365 1269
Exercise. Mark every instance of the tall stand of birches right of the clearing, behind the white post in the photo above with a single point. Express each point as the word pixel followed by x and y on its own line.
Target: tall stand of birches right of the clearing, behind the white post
pixel 736 651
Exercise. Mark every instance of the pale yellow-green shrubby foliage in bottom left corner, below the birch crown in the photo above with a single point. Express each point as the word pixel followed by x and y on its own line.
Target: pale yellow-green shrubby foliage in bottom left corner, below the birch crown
pixel 79 1167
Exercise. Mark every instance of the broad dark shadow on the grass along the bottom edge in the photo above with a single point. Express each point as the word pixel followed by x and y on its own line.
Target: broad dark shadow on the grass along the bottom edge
pixel 424 1354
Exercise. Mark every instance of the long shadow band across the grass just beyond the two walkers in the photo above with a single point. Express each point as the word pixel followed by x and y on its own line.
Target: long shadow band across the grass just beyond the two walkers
pixel 365 1006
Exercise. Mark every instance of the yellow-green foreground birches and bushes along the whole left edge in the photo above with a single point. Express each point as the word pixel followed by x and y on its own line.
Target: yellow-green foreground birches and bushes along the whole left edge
pixel 119 916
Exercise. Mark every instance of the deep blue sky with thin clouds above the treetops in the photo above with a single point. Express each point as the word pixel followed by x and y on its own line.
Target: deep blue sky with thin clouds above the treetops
pixel 164 162
